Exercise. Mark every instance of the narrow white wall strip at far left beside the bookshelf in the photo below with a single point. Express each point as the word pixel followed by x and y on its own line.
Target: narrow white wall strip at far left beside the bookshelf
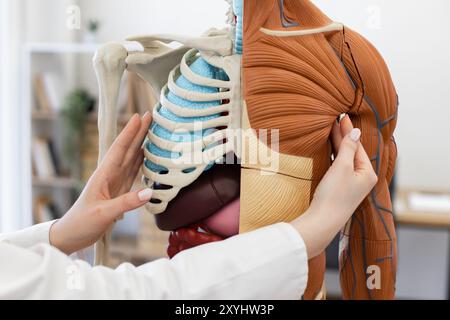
pixel 10 174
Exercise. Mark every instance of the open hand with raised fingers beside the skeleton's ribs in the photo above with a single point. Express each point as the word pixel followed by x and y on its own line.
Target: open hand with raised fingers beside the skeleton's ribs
pixel 107 194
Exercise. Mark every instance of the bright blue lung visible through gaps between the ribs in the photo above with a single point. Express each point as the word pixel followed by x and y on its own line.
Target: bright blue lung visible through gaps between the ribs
pixel 201 67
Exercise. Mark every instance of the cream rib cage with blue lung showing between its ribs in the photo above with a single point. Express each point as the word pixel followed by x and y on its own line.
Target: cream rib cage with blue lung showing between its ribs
pixel 186 123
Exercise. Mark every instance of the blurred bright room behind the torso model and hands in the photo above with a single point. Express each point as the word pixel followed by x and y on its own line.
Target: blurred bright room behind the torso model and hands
pixel 48 133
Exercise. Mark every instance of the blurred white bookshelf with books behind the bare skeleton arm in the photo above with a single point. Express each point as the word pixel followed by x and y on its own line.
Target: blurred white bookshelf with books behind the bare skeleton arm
pixel 52 72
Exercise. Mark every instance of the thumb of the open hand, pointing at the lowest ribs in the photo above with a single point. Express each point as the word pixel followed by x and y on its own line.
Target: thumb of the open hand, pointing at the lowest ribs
pixel 128 201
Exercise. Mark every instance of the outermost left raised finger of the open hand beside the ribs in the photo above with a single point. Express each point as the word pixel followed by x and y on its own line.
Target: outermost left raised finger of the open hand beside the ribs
pixel 120 146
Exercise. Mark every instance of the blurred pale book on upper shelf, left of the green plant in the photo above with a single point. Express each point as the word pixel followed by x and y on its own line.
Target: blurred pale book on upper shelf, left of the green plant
pixel 48 92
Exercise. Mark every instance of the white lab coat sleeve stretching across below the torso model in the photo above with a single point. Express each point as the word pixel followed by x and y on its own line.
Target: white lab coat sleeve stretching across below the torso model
pixel 269 263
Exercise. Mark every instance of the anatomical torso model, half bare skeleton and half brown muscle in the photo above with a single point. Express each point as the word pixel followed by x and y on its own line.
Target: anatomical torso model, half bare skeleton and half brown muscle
pixel 281 66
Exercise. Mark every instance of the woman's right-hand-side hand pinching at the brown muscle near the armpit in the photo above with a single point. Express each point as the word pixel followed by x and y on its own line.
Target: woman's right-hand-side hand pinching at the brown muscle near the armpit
pixel 341 191
